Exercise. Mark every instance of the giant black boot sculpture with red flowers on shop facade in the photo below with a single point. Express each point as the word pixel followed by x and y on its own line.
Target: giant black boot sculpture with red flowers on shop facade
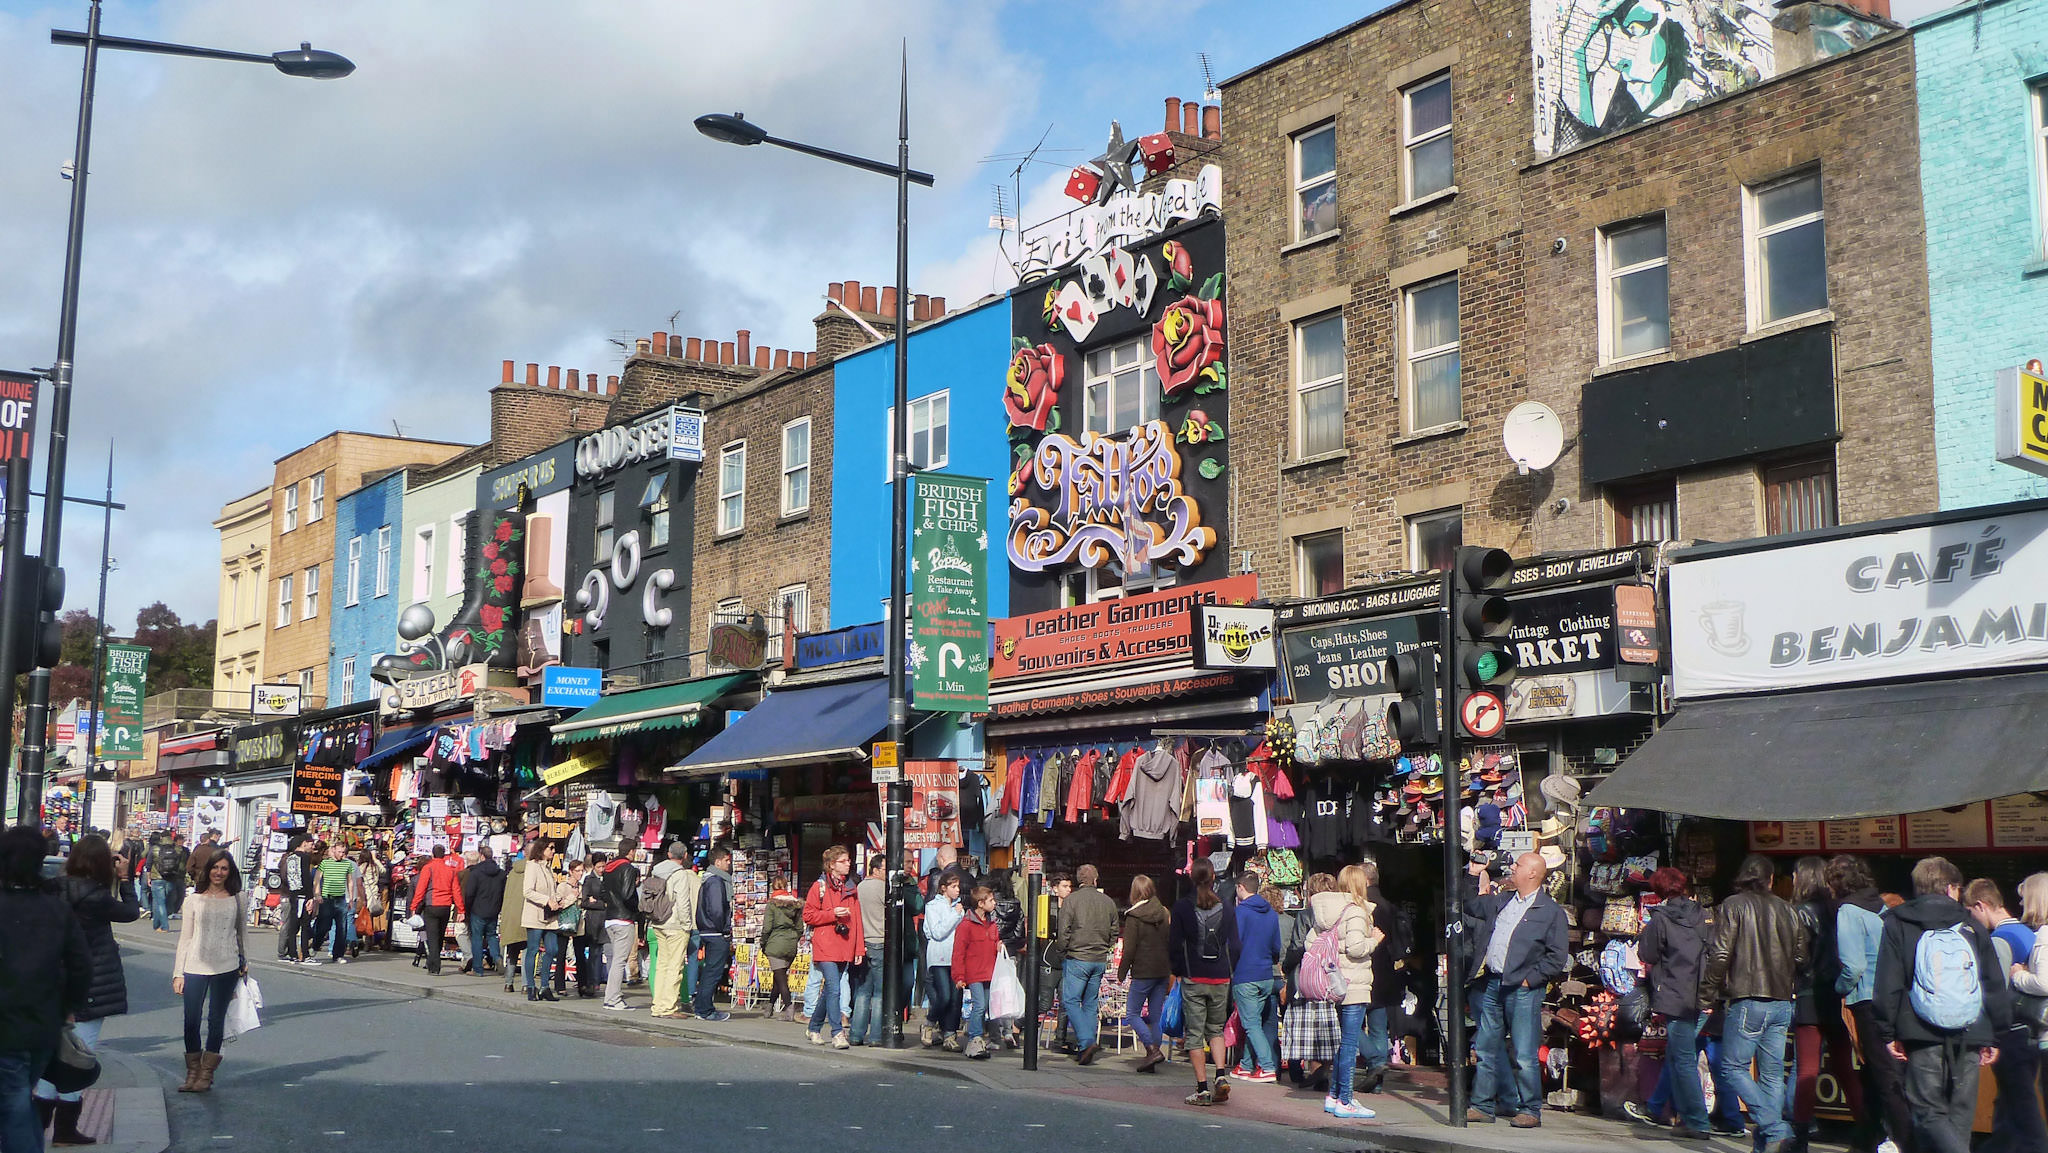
pixel 486 628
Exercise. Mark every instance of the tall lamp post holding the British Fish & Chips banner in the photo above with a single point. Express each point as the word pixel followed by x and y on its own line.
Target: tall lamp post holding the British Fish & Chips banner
pixel 738 130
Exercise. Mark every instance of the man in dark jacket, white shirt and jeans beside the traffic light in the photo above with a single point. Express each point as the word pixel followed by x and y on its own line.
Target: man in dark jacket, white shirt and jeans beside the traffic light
pixel 1519 949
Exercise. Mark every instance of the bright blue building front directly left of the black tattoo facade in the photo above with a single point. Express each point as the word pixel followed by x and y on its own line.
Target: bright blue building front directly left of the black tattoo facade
pixel 957 427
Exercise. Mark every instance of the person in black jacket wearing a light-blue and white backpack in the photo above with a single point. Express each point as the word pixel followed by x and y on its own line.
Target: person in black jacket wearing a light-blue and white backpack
pixel 1943 1062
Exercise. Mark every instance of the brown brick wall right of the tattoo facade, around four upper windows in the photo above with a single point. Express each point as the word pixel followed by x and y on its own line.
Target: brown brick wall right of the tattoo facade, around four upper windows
pixel 1385 470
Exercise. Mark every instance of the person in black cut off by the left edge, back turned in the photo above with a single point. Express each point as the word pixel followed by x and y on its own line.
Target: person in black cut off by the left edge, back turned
pixel 46 974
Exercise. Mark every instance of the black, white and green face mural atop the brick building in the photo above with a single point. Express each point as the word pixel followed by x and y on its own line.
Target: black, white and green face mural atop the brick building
pixel 1611 65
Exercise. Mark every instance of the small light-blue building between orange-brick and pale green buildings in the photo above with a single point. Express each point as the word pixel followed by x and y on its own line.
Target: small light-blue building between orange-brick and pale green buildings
pixel 368 591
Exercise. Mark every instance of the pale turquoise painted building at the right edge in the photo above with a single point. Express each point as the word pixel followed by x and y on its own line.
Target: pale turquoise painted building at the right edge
pixel 1983 101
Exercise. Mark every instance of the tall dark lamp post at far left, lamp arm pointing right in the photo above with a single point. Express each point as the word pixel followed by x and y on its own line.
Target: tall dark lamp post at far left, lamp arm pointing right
pixel 24 615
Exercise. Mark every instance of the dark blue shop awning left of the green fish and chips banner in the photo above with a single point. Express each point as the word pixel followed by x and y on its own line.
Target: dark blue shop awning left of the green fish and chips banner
pixel 826 722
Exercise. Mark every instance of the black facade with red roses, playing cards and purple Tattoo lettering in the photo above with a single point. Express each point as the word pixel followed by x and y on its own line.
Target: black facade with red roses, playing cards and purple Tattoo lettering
pixel 1119 409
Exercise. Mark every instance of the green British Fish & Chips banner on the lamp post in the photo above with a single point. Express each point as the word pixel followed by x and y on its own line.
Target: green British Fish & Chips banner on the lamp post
pixel 949 562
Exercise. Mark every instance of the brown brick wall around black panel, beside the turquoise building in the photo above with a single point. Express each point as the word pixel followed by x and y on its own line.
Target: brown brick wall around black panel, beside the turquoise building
pixel 1854 118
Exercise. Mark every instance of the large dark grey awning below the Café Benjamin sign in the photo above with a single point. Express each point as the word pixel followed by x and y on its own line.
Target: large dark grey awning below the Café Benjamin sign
pixel 1844 753
